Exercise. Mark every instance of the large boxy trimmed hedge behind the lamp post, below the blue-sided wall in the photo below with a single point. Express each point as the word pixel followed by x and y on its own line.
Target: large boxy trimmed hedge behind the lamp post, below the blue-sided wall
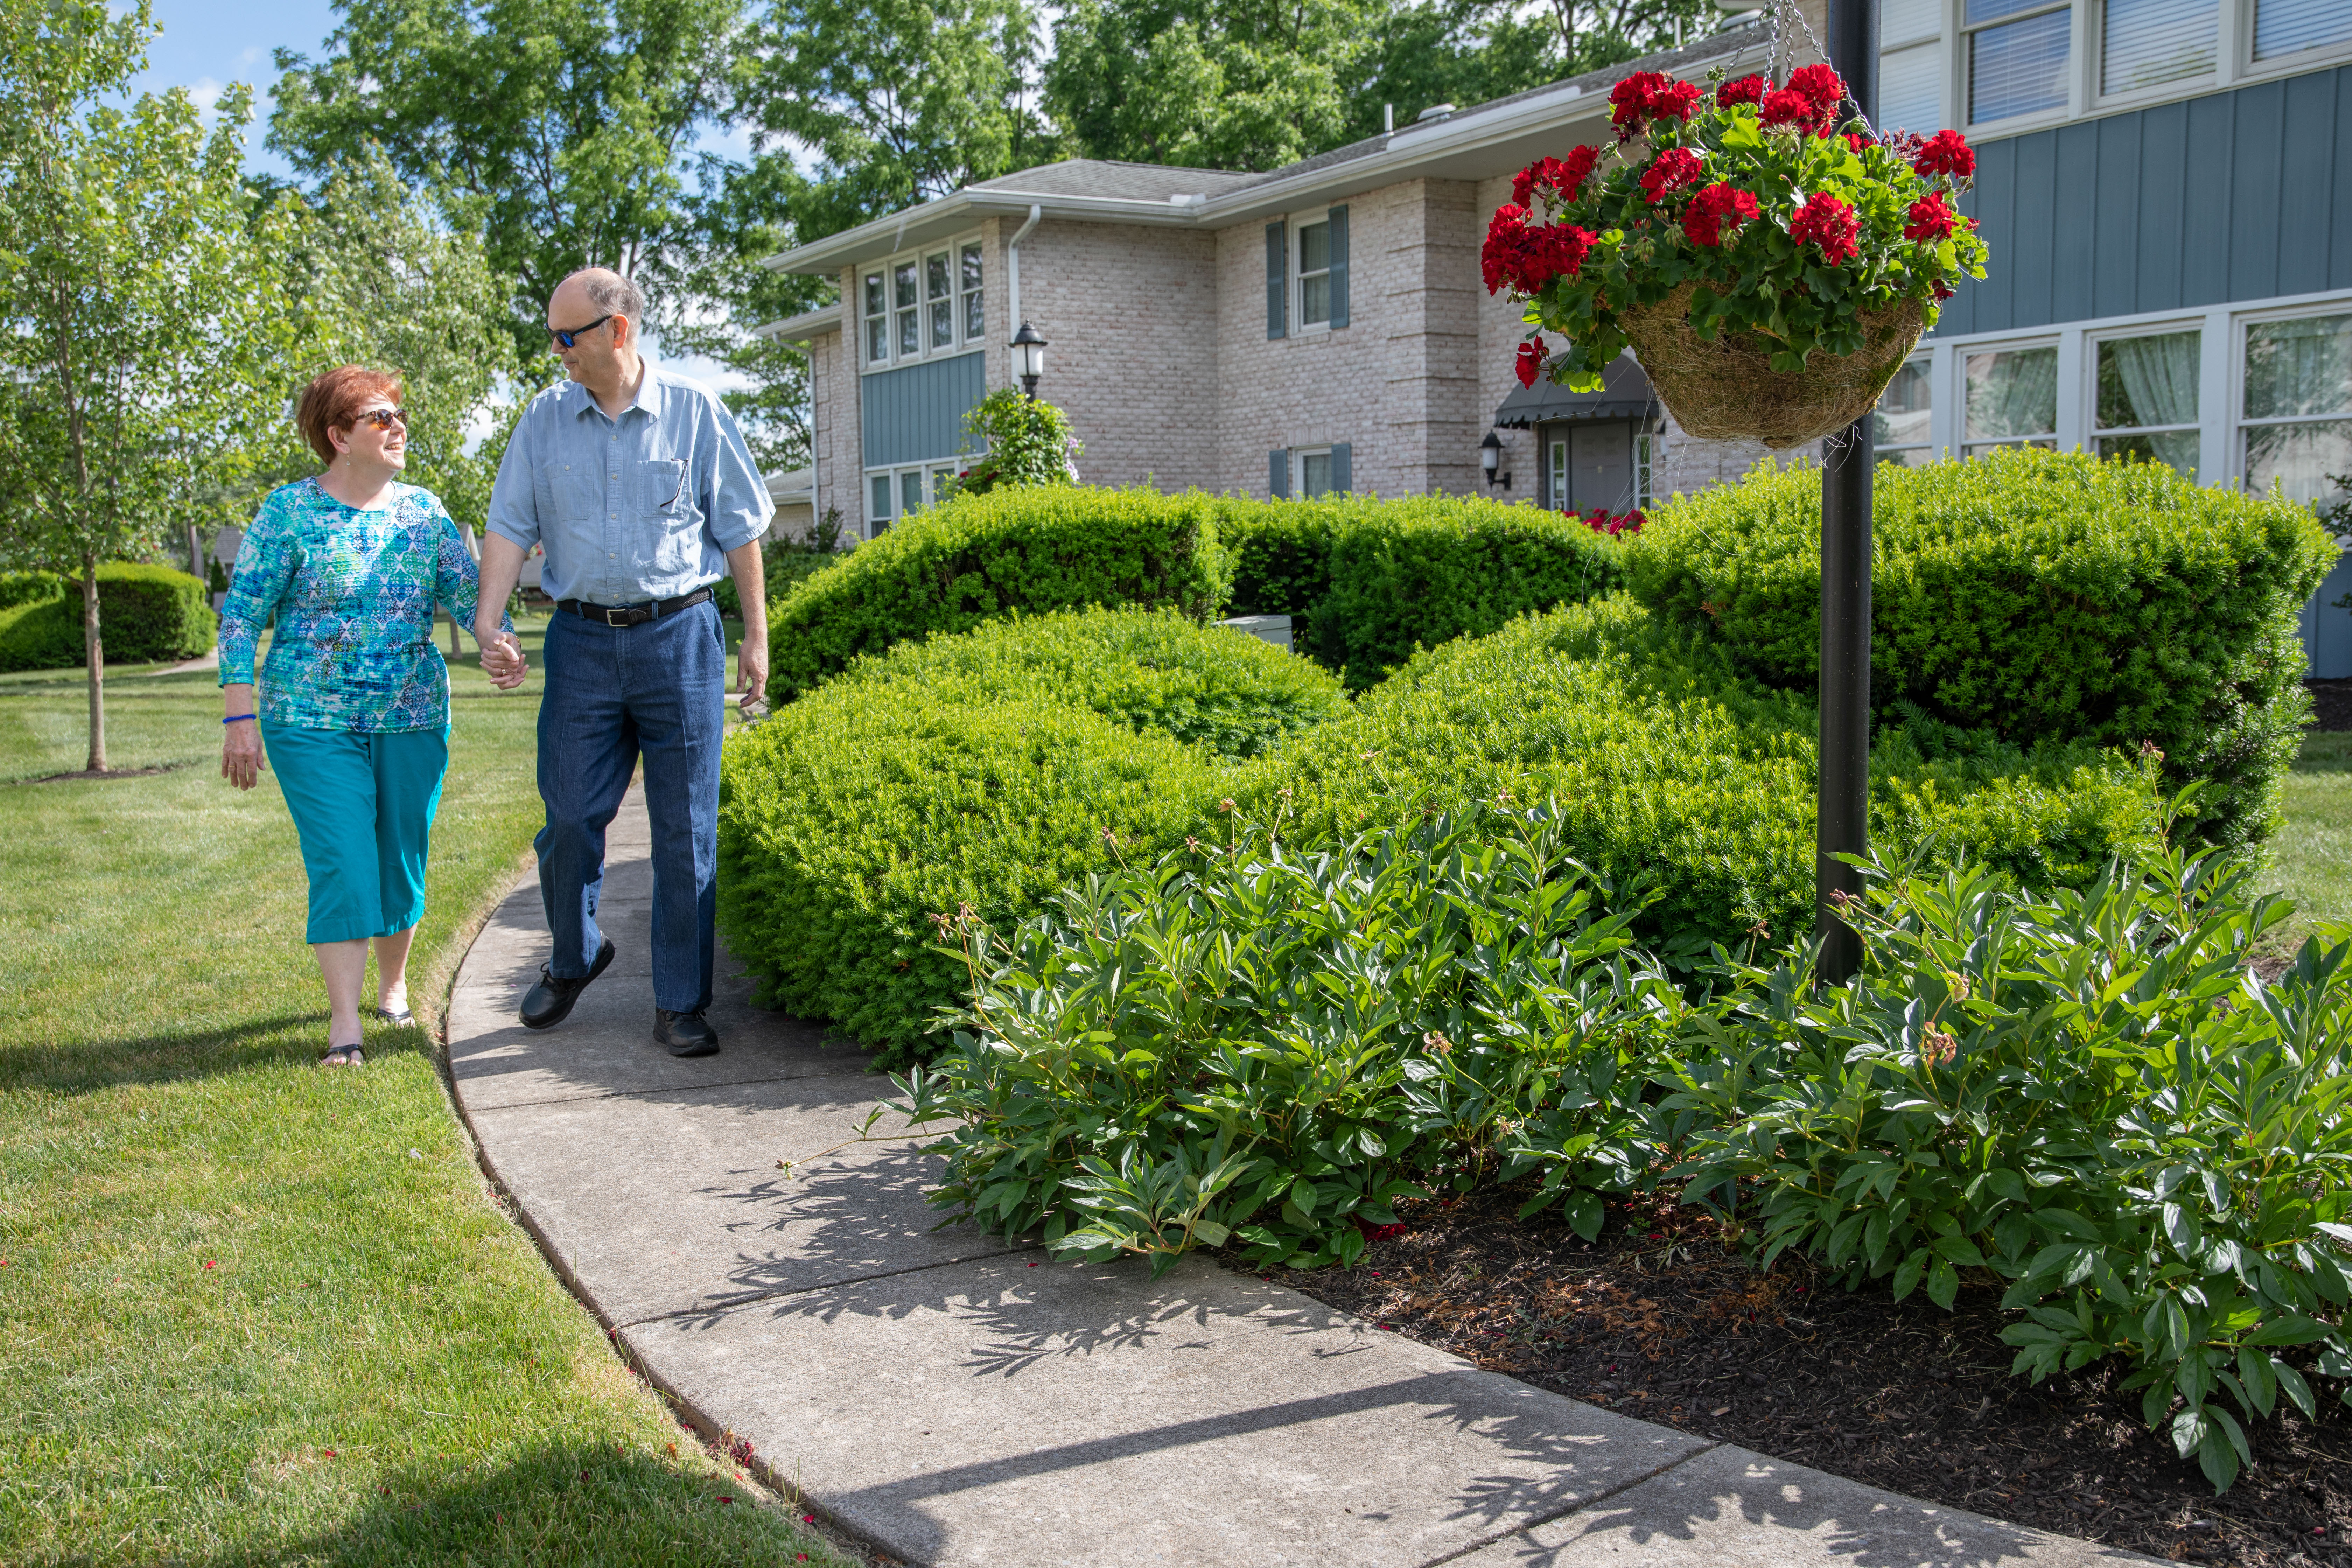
pixel 2033 596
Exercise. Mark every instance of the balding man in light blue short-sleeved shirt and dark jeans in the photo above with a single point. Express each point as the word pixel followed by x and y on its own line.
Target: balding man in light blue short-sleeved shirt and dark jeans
pixel 639 485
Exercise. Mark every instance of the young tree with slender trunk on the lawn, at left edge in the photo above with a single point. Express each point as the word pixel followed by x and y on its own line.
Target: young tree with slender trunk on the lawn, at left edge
pixel 140 307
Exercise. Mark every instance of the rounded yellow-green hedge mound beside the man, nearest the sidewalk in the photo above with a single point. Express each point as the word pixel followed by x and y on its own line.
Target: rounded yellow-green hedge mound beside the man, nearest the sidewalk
pixel 984 772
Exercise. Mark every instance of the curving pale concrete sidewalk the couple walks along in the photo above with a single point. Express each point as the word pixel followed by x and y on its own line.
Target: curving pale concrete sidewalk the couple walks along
pixel 965 1402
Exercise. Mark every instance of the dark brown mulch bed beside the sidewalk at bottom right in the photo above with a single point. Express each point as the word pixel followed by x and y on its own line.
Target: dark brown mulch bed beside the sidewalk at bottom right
pixel 1662 1322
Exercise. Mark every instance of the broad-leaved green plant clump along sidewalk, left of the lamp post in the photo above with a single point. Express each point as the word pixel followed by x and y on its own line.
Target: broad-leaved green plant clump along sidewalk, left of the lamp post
pixel 1267 1050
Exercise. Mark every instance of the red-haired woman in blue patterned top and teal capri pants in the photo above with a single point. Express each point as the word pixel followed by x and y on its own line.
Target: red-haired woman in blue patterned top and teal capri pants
pixel 354 702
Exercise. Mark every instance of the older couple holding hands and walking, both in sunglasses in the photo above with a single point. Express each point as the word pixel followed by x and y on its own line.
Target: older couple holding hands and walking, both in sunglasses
pixel 639 488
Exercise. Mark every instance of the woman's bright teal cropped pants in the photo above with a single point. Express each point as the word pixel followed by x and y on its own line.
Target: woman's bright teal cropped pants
pixel 363 805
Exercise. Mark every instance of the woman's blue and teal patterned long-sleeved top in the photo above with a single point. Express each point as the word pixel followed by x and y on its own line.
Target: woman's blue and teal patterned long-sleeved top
pixel 354 603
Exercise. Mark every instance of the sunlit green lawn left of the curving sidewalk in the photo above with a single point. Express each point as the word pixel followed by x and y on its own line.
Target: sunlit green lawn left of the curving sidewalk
pixel 255 1313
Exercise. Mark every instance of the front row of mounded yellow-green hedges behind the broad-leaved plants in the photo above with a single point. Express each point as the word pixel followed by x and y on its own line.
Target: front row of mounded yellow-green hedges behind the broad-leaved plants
pixel 1001 768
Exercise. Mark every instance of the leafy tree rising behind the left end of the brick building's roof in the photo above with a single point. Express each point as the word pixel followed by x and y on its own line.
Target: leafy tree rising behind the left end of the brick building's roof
pixel 900 100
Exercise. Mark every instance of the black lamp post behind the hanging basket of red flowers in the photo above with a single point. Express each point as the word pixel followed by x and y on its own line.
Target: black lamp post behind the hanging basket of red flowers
pixel 1845 594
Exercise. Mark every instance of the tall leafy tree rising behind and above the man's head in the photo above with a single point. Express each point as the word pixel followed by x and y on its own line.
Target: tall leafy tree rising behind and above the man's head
pixel 561 130
